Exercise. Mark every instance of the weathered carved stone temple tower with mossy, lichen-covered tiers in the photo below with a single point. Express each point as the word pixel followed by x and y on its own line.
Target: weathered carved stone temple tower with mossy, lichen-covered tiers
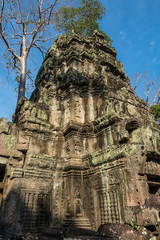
pixel 84 150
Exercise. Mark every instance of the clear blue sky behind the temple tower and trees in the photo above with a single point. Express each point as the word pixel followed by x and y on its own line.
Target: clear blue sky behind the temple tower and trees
pixel 134 28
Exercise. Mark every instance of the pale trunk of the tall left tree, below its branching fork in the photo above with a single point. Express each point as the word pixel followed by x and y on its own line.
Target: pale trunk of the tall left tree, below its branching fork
pixel 21 91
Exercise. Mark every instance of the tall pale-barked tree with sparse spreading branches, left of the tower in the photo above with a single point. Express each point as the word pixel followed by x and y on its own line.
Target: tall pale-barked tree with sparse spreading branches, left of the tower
pixel 25 25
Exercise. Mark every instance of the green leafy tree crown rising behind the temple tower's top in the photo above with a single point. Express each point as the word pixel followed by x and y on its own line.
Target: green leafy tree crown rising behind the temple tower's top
pixel 82 19
